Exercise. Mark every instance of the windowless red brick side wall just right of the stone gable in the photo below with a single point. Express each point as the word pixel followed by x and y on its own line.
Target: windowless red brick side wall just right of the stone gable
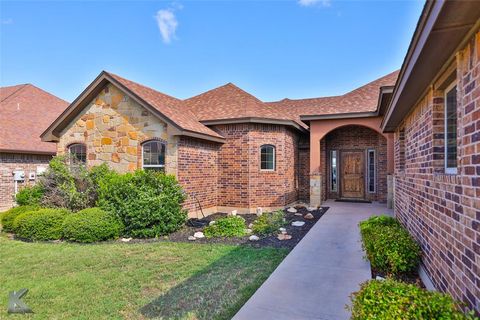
pixel 198 171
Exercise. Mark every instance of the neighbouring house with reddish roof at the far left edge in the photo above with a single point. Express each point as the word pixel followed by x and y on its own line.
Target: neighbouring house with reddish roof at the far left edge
pixel 25 111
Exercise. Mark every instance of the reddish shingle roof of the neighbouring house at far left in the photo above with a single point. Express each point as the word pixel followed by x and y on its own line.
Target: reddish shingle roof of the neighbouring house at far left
pixel 25 111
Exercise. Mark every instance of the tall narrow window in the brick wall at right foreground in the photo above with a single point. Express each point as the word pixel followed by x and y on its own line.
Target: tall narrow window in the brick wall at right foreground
pixel 451 129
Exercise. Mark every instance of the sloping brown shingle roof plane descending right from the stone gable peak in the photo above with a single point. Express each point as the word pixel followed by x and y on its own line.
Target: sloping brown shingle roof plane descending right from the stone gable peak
pixel 170 107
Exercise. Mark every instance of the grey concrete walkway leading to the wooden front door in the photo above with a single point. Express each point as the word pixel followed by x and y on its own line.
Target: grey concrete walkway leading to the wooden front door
pixel 316 279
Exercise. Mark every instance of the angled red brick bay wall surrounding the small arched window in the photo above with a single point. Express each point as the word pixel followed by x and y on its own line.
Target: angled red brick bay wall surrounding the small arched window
pixel 241 182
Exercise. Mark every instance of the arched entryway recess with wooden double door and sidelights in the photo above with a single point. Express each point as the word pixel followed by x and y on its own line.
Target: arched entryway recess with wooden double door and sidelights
pixel 354 164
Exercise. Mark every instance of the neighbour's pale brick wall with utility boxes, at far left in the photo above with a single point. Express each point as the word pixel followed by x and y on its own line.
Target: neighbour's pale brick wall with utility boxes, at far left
pixel 15 161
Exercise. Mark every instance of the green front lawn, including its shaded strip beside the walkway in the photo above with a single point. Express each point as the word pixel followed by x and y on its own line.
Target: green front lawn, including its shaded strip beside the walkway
pixel 132 281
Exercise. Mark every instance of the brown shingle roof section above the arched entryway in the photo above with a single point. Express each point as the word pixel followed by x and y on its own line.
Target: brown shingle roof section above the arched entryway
pixel 363 99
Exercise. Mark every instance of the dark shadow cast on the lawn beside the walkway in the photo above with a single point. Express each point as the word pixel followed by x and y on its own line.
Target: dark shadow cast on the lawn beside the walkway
pixel 219 290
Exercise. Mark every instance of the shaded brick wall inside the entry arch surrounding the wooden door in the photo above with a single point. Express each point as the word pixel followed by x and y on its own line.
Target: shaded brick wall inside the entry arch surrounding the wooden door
pixel 356 138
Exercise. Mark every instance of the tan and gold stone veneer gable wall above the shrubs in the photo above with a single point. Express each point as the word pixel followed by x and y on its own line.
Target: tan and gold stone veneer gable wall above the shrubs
pixel 113 127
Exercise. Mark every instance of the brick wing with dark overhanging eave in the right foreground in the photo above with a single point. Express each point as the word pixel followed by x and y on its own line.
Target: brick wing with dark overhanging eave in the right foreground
pixel 435 116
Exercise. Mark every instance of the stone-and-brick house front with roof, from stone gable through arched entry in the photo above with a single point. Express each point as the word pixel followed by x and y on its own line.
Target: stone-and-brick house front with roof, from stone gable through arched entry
pixel 228 149
